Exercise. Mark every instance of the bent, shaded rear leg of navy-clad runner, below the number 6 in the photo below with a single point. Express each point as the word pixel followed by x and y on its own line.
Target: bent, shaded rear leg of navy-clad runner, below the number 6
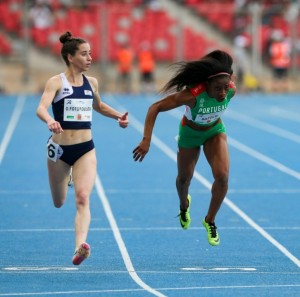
pixel 59 174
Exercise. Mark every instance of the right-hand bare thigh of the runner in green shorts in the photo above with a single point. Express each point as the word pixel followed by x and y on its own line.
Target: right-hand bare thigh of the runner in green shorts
pixel 216 152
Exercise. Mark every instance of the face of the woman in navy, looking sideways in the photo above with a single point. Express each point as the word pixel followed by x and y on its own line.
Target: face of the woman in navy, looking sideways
pixel 82 59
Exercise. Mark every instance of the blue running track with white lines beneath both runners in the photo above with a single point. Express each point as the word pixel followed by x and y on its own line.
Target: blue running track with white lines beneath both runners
pixel 138 246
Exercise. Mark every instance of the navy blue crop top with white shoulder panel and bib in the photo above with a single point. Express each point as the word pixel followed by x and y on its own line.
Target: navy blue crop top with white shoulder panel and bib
pixel 72 107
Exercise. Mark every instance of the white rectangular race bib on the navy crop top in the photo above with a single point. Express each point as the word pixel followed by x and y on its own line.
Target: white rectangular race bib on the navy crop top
pixel 78 110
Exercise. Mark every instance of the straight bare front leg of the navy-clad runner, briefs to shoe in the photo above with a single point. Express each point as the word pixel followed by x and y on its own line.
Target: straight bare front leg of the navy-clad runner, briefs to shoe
pixel 84 174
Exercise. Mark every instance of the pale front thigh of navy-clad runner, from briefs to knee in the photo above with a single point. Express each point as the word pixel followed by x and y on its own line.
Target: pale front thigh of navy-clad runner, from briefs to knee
pixel 84 172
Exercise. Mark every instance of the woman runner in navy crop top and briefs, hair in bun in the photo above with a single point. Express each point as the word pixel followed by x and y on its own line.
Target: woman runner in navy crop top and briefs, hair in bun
pixel 73 97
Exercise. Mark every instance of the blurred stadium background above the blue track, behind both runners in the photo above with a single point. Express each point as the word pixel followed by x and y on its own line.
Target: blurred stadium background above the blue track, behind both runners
pixel 134 41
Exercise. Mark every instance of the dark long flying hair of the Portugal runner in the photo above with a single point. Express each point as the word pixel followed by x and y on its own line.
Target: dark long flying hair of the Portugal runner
pixel 195 72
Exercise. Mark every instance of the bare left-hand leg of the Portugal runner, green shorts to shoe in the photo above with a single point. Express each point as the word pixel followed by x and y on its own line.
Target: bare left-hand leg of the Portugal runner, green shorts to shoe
pixel 186 161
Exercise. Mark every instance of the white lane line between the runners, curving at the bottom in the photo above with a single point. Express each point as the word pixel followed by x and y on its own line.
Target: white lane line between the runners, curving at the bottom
pixel 119 240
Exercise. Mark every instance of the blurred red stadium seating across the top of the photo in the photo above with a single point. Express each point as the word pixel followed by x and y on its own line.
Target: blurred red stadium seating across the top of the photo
pixel 106 24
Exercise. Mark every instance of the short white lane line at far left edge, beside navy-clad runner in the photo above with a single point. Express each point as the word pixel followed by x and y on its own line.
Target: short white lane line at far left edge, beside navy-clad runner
pixel 12 125
